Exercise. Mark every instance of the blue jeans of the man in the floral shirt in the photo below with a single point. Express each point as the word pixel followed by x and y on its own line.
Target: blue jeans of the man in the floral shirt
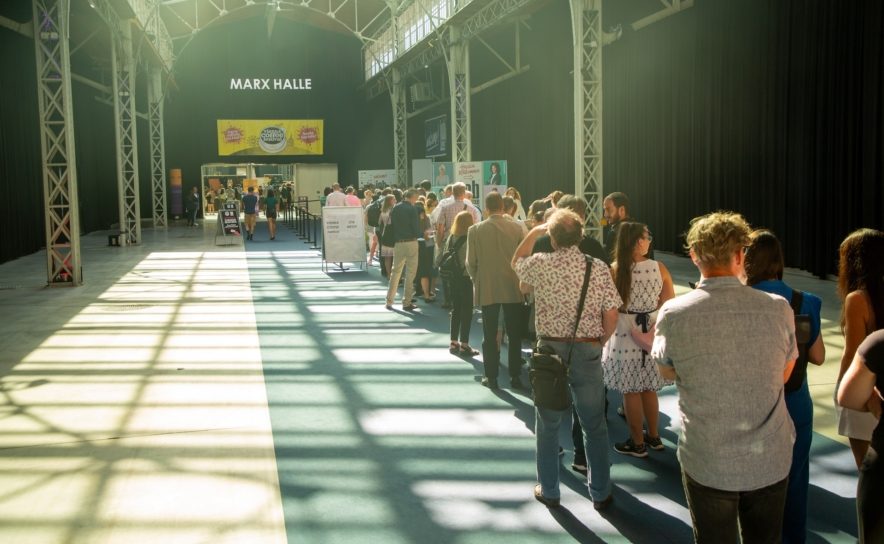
pixel 588 396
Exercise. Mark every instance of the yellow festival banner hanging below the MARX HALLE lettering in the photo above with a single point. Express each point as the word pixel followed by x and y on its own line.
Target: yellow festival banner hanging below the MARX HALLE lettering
pixel 269 137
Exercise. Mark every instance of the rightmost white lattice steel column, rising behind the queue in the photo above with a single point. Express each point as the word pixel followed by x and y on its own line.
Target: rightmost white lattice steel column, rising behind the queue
pixel 586 20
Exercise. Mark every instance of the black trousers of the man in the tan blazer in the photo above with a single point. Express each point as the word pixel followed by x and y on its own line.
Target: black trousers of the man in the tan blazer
pixel 514 317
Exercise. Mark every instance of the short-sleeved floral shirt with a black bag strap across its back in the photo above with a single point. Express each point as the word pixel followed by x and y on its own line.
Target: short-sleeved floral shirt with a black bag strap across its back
pixel 557 279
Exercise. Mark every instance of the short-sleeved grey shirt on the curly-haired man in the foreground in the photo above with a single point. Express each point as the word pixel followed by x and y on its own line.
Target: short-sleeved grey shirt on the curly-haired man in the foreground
pixel 729 345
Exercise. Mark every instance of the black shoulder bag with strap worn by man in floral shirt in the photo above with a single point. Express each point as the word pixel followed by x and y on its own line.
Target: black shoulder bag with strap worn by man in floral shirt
pixel 546 370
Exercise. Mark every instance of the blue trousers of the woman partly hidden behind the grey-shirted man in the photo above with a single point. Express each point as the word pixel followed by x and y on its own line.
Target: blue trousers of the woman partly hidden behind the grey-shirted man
pixel 800 408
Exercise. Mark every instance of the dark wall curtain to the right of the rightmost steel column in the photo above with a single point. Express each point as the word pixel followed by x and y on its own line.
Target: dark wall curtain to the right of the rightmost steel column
pixel 770 108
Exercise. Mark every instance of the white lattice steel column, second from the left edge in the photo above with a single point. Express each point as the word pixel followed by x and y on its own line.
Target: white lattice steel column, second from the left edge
pixel 127 143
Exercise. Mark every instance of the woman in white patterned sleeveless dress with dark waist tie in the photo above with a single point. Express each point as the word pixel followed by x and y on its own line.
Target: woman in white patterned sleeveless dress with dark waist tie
pixel 645 285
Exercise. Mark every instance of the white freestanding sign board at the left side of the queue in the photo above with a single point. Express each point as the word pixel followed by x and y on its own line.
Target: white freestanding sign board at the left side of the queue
pixel 343 235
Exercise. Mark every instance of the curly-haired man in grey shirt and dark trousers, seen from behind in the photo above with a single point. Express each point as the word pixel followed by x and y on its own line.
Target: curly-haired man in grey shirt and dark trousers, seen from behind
pixel 729 349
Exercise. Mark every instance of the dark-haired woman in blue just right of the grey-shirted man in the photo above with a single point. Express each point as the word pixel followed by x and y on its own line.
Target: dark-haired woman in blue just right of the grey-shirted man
pixel 764 265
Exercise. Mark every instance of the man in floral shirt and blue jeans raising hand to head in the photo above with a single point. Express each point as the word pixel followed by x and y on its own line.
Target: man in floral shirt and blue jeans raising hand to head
pixel 557 279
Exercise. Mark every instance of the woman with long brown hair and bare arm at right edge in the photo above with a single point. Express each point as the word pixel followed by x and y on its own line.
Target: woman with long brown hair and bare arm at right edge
pixel 861 290
